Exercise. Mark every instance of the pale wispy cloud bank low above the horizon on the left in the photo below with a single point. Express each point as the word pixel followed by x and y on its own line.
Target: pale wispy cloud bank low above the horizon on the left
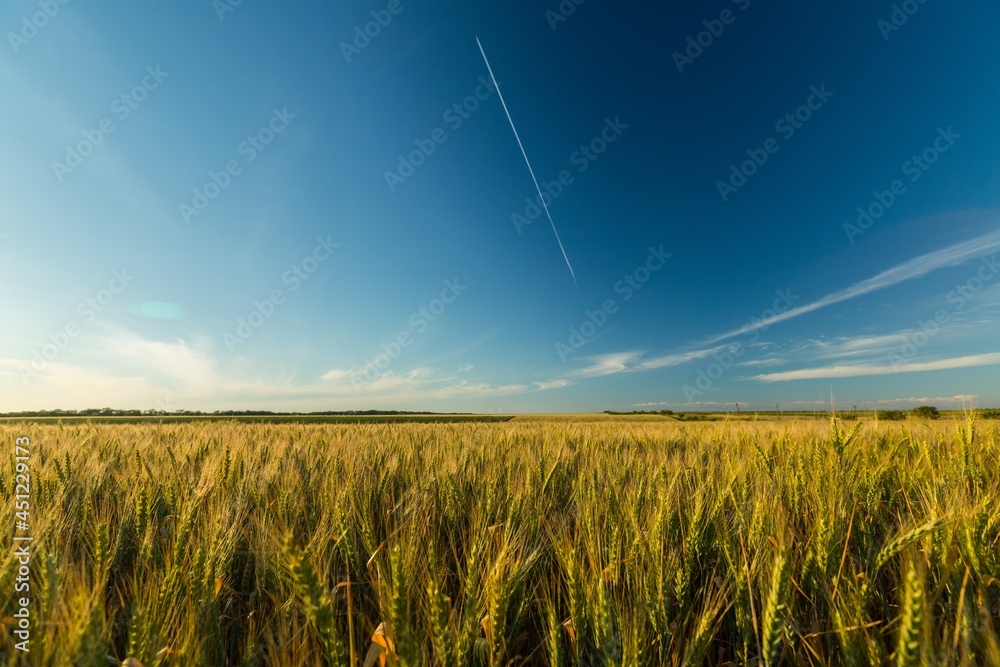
pixel 118 367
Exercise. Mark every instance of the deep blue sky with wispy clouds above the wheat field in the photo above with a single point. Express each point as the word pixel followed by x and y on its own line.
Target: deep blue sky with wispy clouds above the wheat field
pixel 210 206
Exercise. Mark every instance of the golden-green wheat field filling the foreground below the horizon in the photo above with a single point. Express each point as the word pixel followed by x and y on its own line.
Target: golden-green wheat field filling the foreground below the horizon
pixel 548 541
